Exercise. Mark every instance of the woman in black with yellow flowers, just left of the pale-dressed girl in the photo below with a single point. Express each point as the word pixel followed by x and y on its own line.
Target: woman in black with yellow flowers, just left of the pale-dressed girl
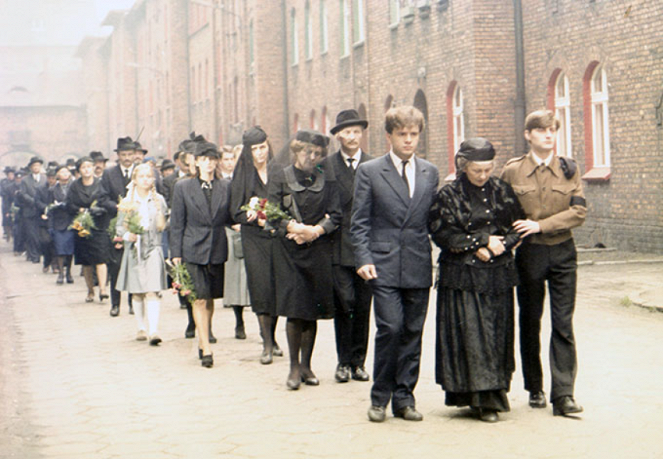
pixel 92 243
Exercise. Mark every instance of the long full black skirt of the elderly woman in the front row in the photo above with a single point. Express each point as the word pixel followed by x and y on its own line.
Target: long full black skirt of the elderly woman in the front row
pixel 475 347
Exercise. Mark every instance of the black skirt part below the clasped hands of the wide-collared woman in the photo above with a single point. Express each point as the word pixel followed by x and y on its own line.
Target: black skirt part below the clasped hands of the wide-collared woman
pixel 303 279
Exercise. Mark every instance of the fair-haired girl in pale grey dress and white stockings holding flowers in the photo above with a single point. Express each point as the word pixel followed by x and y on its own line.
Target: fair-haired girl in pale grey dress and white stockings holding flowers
pixel 141 220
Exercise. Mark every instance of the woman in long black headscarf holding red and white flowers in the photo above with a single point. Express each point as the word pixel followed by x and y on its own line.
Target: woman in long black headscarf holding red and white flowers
pixel 250 180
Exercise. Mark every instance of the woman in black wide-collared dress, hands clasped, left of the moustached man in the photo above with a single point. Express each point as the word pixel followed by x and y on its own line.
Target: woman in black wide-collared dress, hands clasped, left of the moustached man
pixel 303 249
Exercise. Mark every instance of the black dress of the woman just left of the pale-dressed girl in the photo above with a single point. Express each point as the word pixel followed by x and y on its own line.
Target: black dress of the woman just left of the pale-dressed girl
pixel 94 249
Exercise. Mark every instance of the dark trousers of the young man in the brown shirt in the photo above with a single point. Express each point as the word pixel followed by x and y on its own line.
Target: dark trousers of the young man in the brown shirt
pixel 538 263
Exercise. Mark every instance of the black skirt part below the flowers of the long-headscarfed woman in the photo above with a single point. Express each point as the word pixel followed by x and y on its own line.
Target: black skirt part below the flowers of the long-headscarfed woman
pixel 257 250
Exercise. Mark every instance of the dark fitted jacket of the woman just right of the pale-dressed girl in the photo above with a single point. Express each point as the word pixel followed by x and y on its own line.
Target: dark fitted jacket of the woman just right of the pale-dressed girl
pixel 196 235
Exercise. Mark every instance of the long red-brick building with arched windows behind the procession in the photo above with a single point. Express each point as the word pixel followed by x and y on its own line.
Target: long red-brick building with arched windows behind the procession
pixel 474 67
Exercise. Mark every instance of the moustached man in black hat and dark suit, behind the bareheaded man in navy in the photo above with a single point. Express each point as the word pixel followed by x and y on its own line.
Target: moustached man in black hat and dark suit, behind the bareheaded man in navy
pixel 352 295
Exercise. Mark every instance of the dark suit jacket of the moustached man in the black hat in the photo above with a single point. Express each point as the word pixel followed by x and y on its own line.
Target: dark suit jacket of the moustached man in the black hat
pixel 343 252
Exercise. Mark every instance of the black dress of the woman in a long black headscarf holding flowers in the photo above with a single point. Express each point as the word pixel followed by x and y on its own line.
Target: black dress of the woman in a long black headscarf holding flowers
pixel 256 242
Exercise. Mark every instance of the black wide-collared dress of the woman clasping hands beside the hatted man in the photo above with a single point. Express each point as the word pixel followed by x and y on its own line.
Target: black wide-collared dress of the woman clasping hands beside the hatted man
pixel 303 273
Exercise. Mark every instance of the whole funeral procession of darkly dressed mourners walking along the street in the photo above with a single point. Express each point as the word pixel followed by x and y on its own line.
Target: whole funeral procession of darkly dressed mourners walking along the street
pixel 307 235
